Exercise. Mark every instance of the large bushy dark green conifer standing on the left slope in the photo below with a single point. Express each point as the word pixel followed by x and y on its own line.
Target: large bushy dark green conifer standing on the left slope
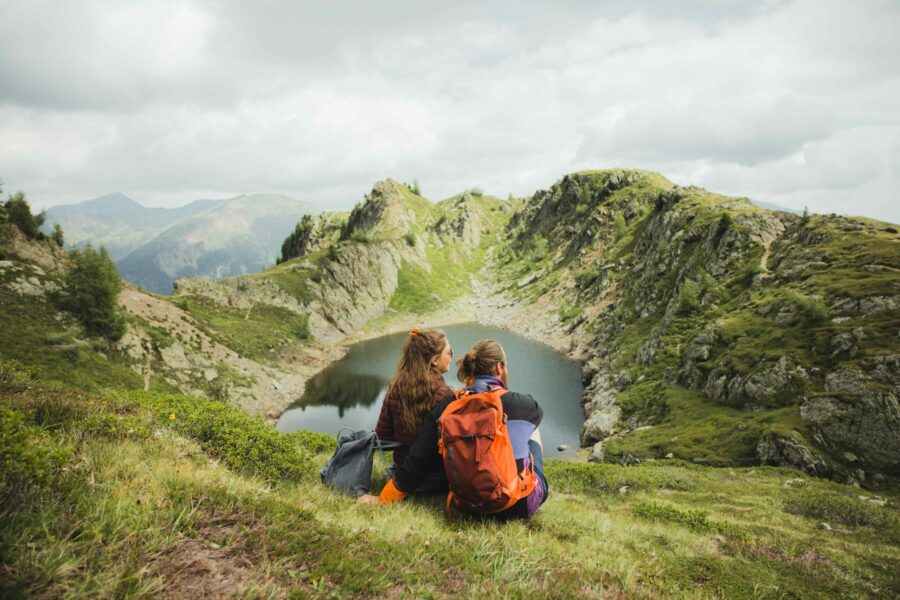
pixel 91 291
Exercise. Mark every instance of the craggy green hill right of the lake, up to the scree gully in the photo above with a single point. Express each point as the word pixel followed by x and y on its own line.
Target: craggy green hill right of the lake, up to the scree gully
pixel 716 331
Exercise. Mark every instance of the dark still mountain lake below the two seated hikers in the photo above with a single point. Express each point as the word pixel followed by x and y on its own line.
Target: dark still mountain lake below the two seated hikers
pixel 349 392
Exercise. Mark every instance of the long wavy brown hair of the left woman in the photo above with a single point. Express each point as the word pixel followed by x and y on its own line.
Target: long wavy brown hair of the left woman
pixel 413 383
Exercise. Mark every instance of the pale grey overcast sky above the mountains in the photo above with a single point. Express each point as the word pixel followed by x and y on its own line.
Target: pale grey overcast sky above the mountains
pixel 789 102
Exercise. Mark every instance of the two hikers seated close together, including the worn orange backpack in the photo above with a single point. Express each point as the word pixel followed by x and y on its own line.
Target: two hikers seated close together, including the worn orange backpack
pixel 484 436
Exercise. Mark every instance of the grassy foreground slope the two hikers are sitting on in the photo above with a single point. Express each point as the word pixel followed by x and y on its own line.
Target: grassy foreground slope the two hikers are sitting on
pixel 158 495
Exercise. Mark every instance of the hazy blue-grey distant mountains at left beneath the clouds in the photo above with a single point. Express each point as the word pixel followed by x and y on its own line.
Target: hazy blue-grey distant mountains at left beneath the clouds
pixel 152 247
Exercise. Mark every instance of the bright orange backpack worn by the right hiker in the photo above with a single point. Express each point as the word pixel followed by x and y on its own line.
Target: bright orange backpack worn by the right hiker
pixel 478 454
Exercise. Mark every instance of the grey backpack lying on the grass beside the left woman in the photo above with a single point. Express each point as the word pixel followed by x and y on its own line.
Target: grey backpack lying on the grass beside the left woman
pixel 350 469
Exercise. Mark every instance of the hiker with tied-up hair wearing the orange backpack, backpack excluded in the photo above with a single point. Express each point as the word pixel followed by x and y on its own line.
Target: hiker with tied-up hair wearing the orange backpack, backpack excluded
pixel 483 368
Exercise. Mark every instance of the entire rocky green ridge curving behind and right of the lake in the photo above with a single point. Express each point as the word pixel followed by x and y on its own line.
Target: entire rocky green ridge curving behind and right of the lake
pixel 710 329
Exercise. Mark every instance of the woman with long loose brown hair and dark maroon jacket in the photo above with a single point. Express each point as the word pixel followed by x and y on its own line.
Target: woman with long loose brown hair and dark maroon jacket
pixel 416 388
